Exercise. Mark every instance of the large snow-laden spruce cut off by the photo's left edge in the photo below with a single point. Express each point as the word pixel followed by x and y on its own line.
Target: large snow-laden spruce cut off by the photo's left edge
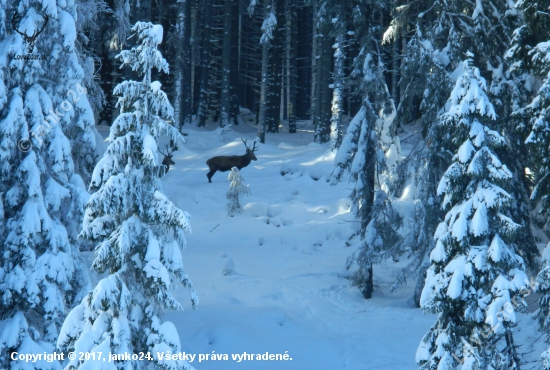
pixel 40 195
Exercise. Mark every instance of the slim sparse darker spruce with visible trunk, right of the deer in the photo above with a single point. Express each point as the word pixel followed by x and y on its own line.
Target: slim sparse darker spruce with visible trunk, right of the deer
pixel 366 148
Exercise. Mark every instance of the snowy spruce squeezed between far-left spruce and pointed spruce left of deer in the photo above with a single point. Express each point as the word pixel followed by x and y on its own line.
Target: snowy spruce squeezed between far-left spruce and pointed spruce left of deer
pixel 63 78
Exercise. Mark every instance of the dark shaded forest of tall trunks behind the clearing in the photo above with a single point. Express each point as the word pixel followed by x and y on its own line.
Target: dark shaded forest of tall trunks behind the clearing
pixel 219 50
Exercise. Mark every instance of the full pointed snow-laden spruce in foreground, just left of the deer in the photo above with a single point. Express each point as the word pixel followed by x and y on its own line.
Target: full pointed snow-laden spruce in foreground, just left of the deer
pixel 138 231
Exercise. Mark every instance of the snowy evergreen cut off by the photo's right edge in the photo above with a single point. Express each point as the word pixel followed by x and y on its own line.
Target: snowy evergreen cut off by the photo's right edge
pixel 530 51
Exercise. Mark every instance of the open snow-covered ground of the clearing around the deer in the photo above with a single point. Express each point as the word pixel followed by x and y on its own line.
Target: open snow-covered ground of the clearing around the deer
pixel 286 291
